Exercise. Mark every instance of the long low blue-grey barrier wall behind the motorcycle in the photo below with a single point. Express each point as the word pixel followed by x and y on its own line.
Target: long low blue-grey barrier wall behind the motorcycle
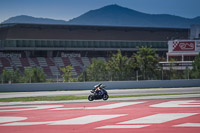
pixel 89 85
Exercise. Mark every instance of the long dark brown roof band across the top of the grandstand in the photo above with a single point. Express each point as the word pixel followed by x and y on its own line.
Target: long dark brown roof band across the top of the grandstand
pixel 83 32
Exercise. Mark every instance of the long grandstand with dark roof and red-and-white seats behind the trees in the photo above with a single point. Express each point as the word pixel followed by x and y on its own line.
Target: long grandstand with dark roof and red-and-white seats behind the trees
pixel 53 46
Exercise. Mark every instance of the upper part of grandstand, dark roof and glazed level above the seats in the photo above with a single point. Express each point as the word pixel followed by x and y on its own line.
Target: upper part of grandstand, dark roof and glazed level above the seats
pixel 51 40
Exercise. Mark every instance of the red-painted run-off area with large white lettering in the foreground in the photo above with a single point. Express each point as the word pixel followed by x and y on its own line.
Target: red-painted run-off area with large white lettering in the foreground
pixel 142 116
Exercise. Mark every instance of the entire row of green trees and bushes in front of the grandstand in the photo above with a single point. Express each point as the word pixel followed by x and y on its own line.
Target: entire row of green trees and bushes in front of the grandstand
pixel 142 65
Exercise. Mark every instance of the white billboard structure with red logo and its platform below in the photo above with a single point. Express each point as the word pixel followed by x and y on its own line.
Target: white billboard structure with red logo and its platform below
pixel 181 54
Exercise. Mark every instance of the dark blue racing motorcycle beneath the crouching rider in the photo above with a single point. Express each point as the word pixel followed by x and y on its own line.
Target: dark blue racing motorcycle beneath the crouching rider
pixel 103 94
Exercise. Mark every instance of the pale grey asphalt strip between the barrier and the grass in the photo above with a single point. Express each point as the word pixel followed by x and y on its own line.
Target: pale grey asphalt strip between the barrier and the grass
pixel 110 92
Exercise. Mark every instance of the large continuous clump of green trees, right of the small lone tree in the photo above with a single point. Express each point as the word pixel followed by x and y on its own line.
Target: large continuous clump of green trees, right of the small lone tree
pixel 143 65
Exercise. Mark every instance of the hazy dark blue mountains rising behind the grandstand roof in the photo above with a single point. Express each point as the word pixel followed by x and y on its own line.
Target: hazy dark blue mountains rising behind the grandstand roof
pixel 114 15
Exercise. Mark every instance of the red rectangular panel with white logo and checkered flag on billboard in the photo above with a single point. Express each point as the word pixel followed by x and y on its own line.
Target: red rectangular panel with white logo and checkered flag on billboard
pixel 184 46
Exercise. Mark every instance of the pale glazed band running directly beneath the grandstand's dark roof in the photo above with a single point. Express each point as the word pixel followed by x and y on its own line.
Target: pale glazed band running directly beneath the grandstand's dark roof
pixel 80 44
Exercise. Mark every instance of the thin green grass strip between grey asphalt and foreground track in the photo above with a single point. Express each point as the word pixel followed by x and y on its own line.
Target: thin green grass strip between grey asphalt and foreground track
pixel 60 98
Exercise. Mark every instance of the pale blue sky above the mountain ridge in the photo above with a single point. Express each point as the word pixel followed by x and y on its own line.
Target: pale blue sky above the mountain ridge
pixel 68 9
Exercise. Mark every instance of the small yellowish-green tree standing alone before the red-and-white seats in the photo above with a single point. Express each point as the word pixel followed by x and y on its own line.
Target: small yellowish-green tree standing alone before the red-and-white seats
pixel 67 73
